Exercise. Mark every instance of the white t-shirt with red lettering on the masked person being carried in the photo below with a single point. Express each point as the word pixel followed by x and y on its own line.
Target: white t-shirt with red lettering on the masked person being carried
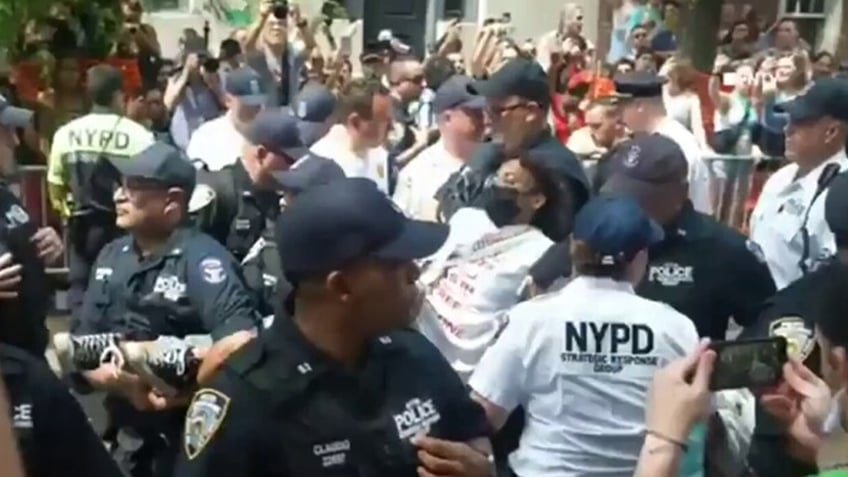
pixel 473 283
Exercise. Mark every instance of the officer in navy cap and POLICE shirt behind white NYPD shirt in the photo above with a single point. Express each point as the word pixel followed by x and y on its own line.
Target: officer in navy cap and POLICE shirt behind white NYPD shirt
pixel 702 268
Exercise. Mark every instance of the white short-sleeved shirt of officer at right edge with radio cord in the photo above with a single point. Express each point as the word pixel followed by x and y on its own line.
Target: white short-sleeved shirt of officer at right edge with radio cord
pixel 778 218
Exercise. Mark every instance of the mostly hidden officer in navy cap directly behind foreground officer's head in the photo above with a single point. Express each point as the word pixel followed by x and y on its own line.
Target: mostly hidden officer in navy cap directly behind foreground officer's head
pixel 261 267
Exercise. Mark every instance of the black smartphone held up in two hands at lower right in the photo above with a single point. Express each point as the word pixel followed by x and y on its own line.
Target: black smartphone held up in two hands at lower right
pixel 748 363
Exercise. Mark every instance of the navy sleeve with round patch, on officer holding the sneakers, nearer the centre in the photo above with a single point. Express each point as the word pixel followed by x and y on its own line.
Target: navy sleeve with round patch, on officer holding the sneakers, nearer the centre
pixel 216 287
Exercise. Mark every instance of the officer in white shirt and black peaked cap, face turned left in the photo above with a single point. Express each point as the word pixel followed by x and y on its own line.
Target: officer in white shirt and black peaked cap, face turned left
pixel 642 111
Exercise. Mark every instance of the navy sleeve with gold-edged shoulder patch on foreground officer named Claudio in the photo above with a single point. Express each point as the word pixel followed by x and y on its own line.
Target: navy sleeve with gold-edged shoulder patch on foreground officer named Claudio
pixel 225 433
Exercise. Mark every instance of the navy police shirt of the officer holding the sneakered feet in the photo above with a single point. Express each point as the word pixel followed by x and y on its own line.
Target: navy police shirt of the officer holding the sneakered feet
pixel 193 287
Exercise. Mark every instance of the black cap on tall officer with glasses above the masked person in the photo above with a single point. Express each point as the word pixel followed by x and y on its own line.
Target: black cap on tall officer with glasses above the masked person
pixel 518 77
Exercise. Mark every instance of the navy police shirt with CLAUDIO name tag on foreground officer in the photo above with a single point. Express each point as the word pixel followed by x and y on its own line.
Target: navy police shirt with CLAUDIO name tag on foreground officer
pixel 279 407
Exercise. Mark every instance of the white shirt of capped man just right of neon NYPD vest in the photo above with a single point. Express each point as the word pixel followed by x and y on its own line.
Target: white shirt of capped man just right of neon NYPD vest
pixel 217 143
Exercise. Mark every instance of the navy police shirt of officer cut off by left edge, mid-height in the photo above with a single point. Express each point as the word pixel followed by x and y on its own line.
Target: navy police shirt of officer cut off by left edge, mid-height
pixel 23 322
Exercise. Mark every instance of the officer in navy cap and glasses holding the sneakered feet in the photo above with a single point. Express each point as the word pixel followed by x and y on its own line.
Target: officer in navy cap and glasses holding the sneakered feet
pixel 164 278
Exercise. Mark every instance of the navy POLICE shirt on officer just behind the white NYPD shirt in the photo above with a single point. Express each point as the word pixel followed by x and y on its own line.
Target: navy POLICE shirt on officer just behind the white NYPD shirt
pixel 709 273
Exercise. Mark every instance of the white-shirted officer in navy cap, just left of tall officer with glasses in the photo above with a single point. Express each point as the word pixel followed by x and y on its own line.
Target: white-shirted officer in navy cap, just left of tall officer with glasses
pixel 459 117
